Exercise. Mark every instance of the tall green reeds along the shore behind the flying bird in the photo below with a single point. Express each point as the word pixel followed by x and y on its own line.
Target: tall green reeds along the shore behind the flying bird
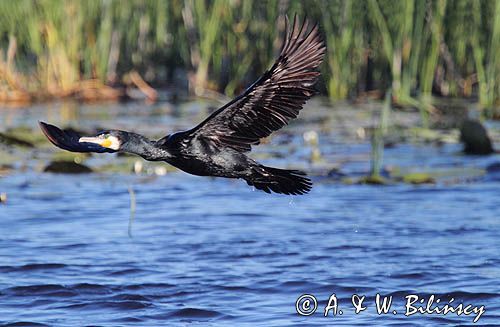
pixel 98 50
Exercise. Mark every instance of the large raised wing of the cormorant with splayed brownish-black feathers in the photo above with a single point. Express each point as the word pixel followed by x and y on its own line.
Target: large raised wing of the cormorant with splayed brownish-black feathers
pixel 274 99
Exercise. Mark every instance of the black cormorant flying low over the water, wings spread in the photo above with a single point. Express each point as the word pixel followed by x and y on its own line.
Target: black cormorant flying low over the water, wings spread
pixel 217 146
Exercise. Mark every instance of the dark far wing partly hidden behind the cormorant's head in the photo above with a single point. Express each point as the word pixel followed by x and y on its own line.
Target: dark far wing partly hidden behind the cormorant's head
pixel 69 140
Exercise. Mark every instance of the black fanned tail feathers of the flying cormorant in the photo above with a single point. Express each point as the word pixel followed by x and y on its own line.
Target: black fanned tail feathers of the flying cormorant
pixel 267 179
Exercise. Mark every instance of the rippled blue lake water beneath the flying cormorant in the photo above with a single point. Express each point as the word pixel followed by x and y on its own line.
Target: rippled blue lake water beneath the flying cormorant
pixel 214 252
